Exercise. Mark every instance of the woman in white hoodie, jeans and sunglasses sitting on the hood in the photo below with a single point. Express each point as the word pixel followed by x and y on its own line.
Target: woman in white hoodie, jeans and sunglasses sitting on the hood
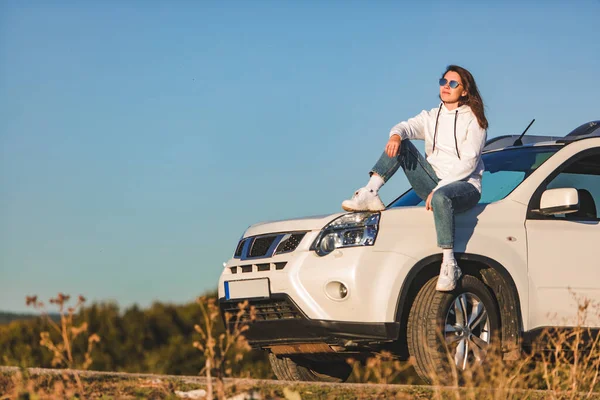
pixel 449 178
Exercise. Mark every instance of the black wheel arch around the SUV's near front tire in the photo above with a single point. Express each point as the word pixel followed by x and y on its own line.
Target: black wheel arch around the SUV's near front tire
pixel 493 274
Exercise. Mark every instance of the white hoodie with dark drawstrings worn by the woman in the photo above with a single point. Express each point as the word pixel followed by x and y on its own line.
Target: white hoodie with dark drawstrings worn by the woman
pixel 449 166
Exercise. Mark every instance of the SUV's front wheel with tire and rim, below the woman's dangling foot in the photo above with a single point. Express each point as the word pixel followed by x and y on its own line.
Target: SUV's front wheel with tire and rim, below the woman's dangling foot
pixel 436 312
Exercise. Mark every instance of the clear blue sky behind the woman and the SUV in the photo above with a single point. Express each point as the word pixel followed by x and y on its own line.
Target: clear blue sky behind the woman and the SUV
pixel 138 140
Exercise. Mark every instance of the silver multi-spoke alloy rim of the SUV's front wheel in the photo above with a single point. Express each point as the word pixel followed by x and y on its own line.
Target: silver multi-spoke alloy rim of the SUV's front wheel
pixel 467 330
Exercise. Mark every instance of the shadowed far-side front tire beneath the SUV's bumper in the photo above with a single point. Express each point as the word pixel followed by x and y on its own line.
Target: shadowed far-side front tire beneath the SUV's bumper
pixel 301 369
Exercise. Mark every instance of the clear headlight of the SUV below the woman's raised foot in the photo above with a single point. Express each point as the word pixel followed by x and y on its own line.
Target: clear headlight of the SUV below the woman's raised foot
pixel 356 229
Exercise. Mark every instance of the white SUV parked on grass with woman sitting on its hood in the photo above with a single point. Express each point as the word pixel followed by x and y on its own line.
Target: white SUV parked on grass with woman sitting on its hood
pixel 329 287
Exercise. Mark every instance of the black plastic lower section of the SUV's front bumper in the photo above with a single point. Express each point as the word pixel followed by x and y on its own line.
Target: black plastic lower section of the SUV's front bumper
pixel 278 320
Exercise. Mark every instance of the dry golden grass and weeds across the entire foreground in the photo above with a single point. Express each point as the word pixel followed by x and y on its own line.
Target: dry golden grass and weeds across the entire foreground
pixel 562 365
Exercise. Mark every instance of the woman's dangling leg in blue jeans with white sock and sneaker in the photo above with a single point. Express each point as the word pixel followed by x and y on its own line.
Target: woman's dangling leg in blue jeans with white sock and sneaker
pixel 448 201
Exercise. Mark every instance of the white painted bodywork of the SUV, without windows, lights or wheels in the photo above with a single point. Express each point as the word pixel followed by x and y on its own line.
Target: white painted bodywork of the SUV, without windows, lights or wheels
pixel 539 257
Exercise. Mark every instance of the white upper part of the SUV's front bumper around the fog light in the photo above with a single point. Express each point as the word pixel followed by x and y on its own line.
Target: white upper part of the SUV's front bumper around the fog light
pixel 373 280
